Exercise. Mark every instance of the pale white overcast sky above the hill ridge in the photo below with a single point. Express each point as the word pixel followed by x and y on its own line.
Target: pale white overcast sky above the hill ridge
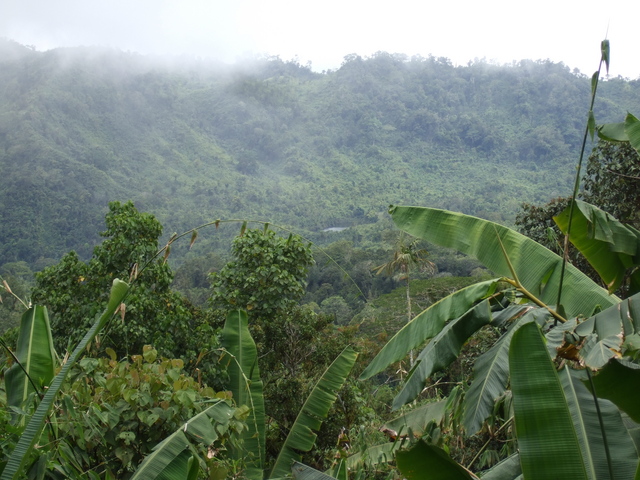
pixel 323 32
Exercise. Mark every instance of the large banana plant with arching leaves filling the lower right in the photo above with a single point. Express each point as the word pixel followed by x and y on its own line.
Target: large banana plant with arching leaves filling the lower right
pixel 590 331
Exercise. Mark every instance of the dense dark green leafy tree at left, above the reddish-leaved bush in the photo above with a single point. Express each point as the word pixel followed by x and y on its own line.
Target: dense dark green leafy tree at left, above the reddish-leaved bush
pixel 73 291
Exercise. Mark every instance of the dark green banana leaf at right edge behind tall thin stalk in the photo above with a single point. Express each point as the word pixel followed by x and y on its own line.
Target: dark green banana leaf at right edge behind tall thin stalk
pixel 608 245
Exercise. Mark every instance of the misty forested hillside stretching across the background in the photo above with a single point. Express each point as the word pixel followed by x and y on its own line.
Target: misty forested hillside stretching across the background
pixel 192 142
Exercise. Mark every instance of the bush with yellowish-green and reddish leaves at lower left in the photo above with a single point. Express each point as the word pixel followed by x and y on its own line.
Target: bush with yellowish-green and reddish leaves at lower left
pixel 113 413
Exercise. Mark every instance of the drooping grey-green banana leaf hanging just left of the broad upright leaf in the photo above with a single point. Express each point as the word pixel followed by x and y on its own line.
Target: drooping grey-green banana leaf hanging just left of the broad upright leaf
pixel 491 374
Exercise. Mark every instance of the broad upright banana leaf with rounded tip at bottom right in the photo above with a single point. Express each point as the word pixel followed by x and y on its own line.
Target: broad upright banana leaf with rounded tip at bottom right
pixel 547 441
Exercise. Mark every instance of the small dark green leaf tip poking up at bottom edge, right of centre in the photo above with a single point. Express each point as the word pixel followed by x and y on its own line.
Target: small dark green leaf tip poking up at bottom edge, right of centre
pixel 423 459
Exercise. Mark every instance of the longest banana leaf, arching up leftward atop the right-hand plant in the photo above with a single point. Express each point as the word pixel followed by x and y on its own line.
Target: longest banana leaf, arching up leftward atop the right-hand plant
pixel 537 268
